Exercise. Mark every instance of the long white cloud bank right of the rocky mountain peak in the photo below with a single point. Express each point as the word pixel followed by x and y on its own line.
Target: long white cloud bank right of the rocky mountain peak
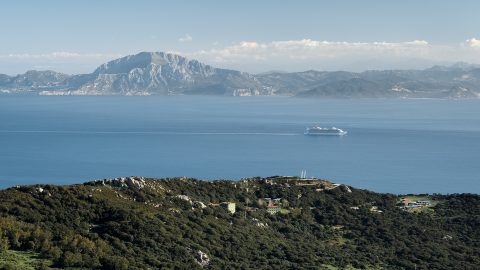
pixel 306 54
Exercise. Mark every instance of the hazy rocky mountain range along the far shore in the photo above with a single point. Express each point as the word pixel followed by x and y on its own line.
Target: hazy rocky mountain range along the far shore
pixel 158 73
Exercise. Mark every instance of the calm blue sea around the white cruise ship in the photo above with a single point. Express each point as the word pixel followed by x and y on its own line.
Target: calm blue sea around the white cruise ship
pixel 398 146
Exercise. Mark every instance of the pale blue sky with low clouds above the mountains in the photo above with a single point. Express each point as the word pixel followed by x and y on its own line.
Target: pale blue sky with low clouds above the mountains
pixel 254 36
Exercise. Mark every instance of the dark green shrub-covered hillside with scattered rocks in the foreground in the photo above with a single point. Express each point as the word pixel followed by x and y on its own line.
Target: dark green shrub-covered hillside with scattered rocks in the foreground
pixel 259 223
